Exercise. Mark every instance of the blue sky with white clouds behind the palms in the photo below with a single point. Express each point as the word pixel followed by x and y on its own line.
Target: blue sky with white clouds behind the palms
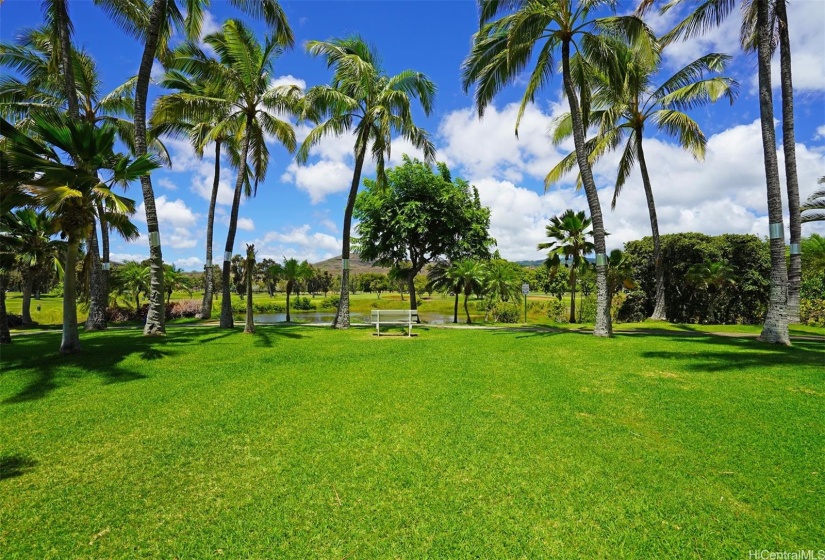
pixel 298 211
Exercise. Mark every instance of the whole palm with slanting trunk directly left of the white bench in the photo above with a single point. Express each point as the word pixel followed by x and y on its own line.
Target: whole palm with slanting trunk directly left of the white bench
pixel 361 92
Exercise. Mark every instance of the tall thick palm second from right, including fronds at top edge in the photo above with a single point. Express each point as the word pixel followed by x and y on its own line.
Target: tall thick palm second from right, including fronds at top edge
pixel 705 16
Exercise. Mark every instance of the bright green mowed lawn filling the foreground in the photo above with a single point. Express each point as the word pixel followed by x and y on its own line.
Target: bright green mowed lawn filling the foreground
pixel 302 442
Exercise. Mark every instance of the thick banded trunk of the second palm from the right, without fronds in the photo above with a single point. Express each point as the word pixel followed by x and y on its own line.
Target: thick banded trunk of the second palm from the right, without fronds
pixel 775 329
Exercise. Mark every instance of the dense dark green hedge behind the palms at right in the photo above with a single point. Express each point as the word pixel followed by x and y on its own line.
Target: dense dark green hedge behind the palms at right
pixel 749 260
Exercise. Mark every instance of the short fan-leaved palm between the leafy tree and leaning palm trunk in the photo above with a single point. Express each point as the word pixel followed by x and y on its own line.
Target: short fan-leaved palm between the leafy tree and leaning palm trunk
pixel 570 233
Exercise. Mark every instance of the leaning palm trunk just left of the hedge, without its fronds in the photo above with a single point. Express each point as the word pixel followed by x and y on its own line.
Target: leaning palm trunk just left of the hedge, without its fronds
pixel 603 325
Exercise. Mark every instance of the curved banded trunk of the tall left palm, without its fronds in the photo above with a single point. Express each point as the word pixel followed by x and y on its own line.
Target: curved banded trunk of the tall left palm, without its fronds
pixel 156 315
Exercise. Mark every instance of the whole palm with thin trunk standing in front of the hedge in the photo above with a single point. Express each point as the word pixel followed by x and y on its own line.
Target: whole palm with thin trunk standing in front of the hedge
pixel 625 99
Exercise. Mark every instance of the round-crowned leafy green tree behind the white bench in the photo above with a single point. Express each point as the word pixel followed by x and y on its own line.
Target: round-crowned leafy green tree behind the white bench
pixel 417 217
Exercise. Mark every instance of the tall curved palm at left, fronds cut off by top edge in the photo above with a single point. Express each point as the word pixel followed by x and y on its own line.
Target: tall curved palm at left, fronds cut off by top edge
pixel 154 28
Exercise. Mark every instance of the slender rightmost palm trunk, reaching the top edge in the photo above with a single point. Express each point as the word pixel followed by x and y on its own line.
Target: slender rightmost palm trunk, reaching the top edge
pixel 789 146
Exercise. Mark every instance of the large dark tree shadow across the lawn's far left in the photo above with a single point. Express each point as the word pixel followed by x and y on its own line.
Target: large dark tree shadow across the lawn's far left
pixel 100 355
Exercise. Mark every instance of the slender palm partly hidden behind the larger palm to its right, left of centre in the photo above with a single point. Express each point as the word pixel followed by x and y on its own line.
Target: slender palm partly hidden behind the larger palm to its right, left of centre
pixel 172 114
